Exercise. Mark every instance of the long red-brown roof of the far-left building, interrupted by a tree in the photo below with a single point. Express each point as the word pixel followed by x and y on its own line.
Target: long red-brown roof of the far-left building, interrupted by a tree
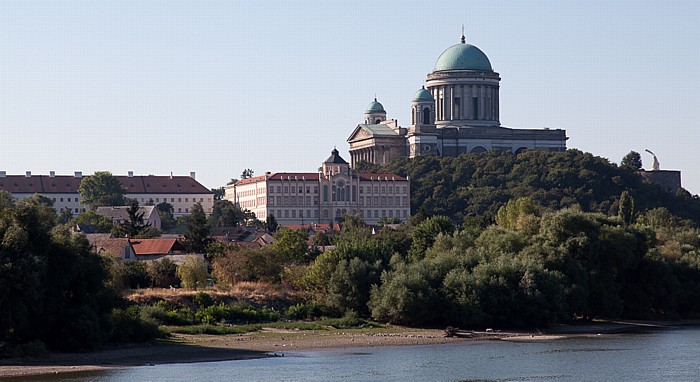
pixel 43 184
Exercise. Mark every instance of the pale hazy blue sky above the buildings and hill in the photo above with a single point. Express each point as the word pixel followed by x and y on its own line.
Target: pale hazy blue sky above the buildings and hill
pixel 218 86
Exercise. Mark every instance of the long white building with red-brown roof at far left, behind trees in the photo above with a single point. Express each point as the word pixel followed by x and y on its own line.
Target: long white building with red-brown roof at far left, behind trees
pixel 182 192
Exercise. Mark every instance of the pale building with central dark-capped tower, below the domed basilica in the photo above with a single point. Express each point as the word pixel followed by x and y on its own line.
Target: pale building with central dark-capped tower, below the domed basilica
pixel 295 198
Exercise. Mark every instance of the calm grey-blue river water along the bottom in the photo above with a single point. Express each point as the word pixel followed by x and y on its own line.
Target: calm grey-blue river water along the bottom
pixel 667 355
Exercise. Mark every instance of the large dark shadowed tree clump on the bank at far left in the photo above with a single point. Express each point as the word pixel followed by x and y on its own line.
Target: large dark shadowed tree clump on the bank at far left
pixel 52 286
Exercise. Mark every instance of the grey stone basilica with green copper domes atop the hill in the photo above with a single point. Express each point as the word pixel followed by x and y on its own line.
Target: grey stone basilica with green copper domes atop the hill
pixel 456 112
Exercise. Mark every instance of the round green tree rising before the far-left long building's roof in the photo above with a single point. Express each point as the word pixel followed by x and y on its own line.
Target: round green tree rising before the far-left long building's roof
pixel 102 189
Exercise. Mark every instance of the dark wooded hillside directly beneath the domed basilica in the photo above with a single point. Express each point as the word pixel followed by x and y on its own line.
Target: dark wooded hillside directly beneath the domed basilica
pixel 478 184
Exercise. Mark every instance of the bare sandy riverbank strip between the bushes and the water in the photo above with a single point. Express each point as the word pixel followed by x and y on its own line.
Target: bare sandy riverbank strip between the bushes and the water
pixel 205 348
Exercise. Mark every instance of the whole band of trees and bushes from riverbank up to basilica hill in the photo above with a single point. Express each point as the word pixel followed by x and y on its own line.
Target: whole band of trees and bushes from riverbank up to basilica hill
pixel 497 240
